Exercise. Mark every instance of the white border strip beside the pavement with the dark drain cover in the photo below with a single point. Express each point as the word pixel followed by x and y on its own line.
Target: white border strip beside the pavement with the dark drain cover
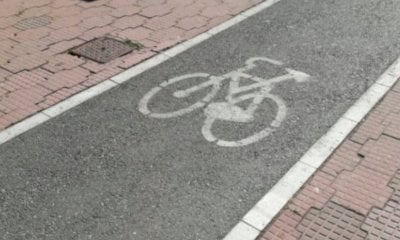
pixel 89 93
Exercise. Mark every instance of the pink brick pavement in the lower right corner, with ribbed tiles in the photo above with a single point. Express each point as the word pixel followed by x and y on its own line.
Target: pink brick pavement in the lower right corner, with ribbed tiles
pixel 356 193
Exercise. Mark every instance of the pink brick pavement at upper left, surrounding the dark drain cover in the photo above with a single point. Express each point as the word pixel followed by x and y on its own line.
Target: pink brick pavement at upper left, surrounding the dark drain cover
pixel 36 70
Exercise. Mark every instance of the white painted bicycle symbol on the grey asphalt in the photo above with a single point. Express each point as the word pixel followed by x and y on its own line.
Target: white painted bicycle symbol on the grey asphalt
pixel 228 109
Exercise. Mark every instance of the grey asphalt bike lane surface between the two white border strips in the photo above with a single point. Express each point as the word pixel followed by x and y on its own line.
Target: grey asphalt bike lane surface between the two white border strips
pixel 105 171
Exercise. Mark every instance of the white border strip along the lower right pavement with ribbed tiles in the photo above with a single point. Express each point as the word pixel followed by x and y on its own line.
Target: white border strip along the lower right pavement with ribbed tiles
pixel 272 203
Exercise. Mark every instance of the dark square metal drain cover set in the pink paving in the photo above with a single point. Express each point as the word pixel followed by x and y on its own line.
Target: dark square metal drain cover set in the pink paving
pixel 103 49
